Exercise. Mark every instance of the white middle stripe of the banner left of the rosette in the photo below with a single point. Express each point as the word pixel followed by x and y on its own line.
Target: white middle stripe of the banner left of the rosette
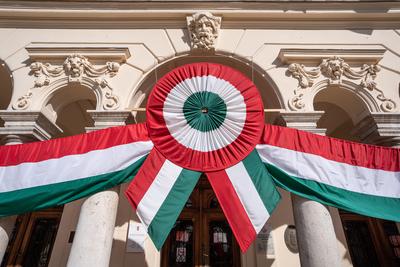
pixel 72 167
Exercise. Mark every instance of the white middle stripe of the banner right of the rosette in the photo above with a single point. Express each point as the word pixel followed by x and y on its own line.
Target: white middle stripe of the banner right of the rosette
pixel 342 175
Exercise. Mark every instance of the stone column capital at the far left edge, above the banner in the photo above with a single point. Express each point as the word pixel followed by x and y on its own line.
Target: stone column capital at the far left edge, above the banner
pixel 28 124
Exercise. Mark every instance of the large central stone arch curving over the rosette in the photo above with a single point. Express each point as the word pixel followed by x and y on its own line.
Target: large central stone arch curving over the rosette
pixel 269 92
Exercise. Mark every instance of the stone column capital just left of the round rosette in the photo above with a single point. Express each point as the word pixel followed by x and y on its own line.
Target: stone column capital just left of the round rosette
pixel 107 118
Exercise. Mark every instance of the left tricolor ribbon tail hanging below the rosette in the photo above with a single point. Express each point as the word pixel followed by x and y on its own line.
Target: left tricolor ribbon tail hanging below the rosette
pixel 158 193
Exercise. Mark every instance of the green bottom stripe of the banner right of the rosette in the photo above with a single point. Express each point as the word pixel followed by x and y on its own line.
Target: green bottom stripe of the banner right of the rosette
pixel 374 206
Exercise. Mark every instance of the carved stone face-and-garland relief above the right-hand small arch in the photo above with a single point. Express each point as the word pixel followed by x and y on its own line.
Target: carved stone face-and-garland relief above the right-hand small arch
pixel 335 69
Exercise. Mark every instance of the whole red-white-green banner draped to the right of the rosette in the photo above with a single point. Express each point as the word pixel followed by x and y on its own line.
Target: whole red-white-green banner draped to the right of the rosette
pixel 360 178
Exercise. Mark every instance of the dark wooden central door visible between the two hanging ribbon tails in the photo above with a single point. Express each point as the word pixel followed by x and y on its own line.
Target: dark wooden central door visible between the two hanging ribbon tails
pixel 201 236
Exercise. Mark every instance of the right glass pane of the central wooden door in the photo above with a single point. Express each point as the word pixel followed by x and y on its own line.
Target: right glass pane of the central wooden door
pixel 221 253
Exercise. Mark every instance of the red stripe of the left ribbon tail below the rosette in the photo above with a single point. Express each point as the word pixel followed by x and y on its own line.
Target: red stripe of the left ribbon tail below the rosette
pixel 145 177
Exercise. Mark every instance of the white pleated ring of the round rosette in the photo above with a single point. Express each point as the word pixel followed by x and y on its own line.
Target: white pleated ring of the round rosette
pixel 204 141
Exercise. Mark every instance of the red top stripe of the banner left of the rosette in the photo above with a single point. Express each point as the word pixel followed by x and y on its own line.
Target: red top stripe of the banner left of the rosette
pixel 72 145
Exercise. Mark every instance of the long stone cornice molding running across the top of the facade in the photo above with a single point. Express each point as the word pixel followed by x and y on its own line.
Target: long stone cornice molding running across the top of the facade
pixel 288 15
